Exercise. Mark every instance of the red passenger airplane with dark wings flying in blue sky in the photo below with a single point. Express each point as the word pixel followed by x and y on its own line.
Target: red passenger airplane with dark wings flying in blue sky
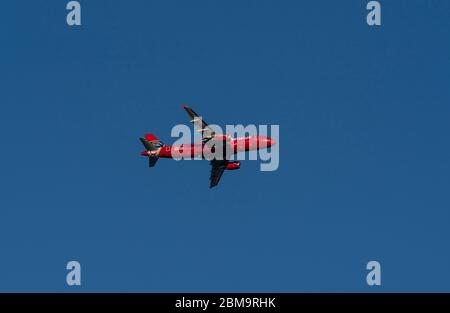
pixel 155 148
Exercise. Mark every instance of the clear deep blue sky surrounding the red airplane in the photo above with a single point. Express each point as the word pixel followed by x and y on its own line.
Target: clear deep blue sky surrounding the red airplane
pixel 365 158
